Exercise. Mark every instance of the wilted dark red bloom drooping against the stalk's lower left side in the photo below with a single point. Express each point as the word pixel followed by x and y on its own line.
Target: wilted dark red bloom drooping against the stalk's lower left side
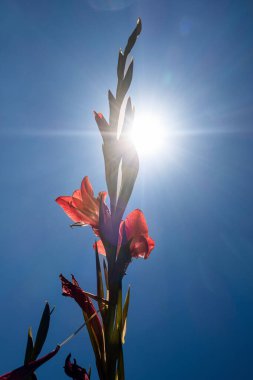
pixel 91 317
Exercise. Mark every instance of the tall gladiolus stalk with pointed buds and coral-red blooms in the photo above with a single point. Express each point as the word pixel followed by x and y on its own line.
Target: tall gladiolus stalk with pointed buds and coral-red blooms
pixel 119 240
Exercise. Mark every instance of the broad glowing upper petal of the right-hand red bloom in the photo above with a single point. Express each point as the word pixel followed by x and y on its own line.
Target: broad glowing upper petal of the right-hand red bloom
pixel 136 224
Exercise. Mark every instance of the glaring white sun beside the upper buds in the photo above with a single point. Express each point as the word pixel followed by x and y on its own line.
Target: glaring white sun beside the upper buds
pixel 148 133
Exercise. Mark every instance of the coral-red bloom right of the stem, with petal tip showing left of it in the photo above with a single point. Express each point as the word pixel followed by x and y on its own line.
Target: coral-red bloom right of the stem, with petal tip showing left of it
pixel 136 231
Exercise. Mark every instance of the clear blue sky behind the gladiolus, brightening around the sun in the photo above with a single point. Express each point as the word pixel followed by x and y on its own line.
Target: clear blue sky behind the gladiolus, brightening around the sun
pixel 191 312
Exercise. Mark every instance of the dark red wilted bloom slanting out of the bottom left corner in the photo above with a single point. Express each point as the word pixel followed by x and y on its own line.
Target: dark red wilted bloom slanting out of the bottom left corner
pixel 27 370
